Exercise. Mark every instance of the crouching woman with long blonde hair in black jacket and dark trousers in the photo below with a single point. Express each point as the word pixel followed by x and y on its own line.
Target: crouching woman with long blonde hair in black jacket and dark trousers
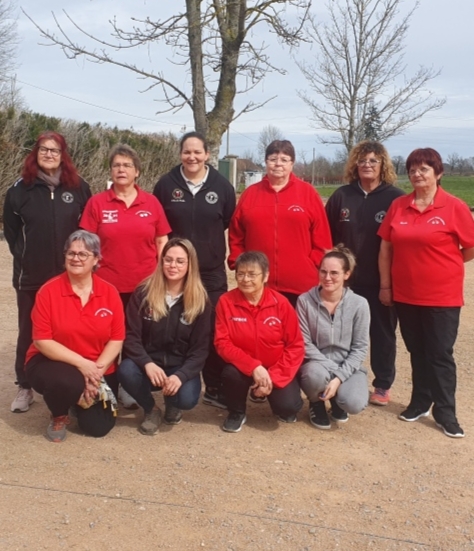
pixel 168 337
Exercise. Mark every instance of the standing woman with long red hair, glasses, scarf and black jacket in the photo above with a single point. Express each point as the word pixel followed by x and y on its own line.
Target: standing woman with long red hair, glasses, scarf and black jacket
pixel 41 210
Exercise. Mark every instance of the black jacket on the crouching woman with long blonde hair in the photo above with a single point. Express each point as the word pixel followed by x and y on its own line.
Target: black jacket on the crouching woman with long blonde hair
pixel 170 342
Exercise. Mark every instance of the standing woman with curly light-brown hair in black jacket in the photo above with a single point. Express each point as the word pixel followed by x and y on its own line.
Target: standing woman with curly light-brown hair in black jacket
pixel 355 212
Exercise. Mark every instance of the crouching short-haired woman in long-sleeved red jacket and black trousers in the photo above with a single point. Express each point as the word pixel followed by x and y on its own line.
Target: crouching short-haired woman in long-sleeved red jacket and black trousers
pixel 258 336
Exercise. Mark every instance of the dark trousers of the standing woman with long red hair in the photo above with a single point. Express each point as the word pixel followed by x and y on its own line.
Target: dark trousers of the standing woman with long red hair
pixel 25 301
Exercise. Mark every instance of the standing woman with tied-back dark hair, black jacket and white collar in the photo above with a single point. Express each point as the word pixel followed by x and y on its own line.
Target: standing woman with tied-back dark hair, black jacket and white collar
pixel 199 203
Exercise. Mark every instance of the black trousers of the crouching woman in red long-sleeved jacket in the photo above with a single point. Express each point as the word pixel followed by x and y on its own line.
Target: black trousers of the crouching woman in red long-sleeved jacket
pixel 284 401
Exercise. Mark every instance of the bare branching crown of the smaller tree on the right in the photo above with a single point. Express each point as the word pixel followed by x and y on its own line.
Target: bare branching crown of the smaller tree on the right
pixel 359 63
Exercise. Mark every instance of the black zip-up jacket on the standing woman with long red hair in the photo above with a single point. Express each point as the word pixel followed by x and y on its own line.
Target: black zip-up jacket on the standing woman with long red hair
pixel 36 224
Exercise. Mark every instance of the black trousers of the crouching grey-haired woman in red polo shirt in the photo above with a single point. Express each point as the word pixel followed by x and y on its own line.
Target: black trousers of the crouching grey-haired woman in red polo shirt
pixel 61 385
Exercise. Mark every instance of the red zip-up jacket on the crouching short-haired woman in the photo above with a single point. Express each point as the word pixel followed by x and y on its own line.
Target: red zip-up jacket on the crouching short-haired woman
pixel 267 334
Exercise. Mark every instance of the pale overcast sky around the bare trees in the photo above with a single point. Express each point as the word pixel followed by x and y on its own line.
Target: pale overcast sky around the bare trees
pixel 440 36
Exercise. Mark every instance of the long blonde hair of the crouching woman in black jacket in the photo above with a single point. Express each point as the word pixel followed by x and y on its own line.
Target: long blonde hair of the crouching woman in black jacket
pixel 194 294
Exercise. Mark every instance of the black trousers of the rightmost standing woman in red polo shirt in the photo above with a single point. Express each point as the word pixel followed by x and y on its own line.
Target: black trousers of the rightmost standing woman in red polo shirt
pixel 429 334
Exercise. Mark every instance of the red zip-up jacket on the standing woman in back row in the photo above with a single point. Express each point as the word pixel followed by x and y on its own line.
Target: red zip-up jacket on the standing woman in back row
pixel 289 226
